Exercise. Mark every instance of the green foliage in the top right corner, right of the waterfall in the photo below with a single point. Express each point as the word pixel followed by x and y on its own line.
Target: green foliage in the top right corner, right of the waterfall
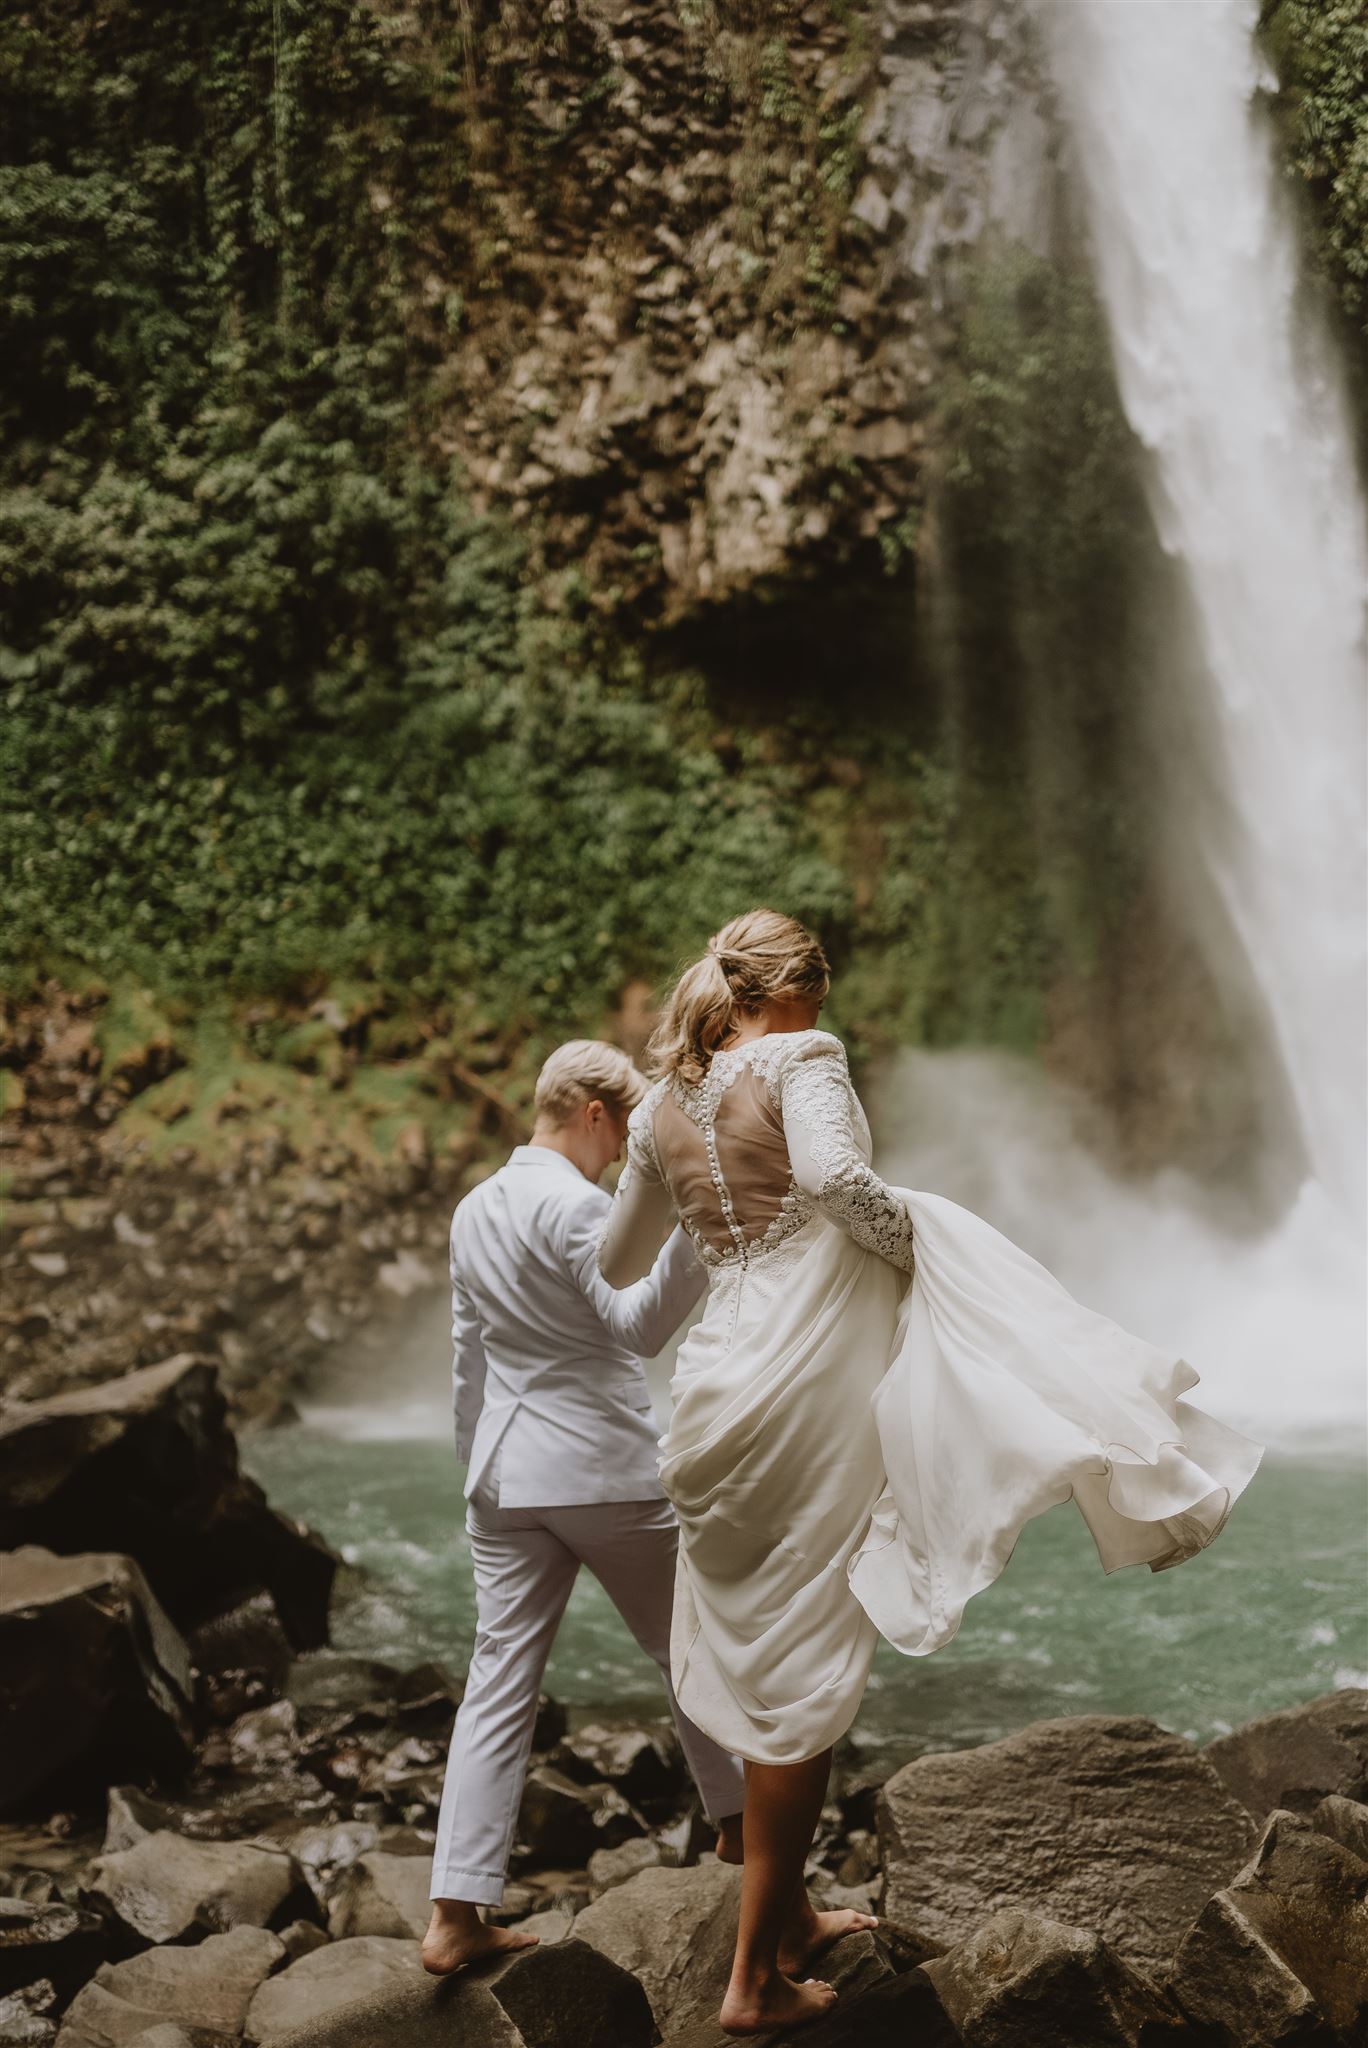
pixel 1322 54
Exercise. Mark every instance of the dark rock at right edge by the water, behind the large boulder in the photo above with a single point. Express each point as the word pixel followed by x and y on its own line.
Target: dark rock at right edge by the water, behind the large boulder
pixel 1299 1756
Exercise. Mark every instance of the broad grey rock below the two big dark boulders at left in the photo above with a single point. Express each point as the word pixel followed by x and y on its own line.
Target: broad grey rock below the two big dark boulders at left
pixel 171 1889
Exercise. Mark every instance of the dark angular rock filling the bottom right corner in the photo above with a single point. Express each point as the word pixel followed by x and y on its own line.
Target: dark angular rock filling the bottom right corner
pixel 1285 1947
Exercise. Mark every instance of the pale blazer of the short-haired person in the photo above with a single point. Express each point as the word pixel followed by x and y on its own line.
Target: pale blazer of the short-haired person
pixel 546 1355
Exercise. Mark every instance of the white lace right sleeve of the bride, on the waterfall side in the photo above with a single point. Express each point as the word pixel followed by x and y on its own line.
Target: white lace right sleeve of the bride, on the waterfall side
pixel 818 1109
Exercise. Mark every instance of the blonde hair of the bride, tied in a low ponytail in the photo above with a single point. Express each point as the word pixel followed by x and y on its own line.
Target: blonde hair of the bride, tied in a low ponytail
pixel 753 962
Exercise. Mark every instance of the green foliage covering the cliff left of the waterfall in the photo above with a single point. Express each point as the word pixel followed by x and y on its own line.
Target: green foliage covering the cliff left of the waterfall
pixel 284 710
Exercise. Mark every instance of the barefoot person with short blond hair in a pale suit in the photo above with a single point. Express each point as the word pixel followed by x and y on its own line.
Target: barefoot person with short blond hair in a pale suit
pixel 554 1420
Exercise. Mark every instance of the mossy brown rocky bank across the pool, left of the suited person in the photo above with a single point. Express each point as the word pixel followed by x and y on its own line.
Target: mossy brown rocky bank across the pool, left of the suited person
pixel 269 1244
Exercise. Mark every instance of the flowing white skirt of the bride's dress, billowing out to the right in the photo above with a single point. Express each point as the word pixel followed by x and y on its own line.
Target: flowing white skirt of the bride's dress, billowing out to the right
pixel 855 1455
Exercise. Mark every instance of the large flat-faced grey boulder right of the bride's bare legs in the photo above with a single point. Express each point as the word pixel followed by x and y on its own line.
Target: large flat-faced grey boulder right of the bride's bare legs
pixel 1097 1822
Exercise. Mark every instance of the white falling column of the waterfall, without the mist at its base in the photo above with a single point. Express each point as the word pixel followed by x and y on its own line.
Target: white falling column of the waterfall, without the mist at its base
pixel 1234 394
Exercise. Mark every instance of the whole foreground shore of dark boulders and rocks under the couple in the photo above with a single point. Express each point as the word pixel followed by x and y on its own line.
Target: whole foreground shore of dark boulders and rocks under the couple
pixel 218 1830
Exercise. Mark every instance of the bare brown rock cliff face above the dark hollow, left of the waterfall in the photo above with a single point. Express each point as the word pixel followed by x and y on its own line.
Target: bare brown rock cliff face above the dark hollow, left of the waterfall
pixel 716 269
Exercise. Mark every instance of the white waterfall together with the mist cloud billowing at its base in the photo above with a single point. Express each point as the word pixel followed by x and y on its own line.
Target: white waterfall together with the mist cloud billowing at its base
pixel 1234 392
